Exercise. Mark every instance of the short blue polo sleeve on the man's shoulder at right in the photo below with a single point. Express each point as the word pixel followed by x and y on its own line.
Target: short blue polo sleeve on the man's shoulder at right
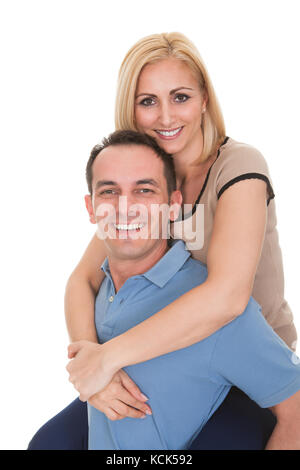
pixel 251 356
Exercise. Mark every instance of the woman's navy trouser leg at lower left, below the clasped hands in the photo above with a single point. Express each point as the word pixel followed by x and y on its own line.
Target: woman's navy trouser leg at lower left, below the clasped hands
pixel 66 431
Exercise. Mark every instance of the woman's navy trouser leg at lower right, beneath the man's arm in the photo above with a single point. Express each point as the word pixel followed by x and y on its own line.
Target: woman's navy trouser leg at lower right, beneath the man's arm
pixel 238 424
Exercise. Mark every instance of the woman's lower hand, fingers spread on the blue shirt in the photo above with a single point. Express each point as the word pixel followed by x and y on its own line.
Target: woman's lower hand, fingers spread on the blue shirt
pixel 121 398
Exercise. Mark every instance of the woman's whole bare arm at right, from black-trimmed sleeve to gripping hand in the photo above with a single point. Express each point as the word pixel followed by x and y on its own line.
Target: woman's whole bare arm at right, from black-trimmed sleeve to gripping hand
pixel 233 255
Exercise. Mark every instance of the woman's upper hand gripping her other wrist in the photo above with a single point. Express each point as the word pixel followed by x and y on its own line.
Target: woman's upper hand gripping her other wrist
pixel 88 371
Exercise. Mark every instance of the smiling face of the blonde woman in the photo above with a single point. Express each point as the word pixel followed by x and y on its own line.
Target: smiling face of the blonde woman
pixel 169 105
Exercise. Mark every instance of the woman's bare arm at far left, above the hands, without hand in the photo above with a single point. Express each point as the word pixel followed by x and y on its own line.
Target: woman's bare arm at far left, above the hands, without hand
pixel 81 289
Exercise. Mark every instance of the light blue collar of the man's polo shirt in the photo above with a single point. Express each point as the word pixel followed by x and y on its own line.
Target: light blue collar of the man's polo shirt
pixel 165 268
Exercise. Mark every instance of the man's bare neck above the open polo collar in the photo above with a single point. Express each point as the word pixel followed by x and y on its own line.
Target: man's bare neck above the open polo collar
pixel 123 269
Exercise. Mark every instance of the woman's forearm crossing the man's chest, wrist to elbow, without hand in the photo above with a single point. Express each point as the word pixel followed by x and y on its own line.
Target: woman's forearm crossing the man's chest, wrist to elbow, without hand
pixel 174 327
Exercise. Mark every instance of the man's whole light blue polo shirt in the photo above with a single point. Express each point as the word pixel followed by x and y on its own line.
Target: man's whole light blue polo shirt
pixel 186 387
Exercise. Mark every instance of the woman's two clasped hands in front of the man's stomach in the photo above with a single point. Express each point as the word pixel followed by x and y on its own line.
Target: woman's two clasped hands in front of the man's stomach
pixel 113 393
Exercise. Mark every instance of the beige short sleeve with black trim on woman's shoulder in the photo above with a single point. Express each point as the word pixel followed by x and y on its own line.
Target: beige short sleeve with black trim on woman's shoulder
pixel 239 162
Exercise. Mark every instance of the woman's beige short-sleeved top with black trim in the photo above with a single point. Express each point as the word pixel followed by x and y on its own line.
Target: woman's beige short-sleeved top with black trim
pixel 235 162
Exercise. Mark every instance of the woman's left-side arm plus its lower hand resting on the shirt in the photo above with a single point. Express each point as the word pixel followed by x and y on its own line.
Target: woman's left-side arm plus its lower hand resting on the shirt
pixel 121 397
